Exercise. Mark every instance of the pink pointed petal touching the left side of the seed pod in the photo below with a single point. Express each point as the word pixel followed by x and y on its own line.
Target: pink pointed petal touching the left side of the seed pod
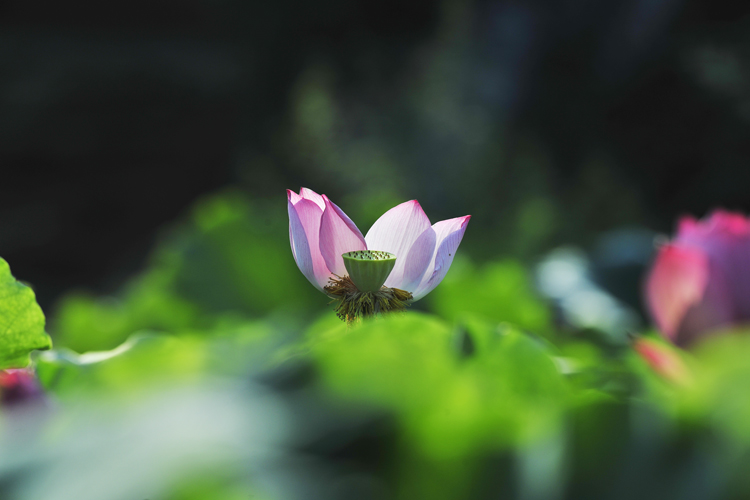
pixel 338 235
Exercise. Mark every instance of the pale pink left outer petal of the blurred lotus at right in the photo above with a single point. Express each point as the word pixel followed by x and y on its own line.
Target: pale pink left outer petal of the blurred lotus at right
pixel 677 282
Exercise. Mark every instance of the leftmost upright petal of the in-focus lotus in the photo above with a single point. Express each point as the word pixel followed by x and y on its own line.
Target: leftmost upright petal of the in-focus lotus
pixel 304 229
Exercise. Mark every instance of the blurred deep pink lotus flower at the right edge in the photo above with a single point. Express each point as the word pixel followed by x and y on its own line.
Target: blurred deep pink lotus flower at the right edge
pixel 700 281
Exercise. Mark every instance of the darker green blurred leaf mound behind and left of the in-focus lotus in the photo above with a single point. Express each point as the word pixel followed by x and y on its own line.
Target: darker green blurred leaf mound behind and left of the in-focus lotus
pixel 230 258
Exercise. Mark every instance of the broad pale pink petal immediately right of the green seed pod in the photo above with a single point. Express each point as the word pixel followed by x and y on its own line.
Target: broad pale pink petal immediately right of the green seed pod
pixel 396 231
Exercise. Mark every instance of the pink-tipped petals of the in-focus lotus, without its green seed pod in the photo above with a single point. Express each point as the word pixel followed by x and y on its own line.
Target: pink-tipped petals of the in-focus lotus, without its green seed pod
pixel 320 232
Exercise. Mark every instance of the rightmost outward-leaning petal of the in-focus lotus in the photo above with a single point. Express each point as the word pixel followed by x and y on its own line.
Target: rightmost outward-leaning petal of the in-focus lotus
pixel 449 234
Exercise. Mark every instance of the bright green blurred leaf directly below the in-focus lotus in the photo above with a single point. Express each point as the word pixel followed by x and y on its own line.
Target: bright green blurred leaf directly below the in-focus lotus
pixel 454 403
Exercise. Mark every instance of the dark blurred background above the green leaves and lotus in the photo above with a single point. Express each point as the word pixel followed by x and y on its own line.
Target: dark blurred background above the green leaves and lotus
pixel 550 122
